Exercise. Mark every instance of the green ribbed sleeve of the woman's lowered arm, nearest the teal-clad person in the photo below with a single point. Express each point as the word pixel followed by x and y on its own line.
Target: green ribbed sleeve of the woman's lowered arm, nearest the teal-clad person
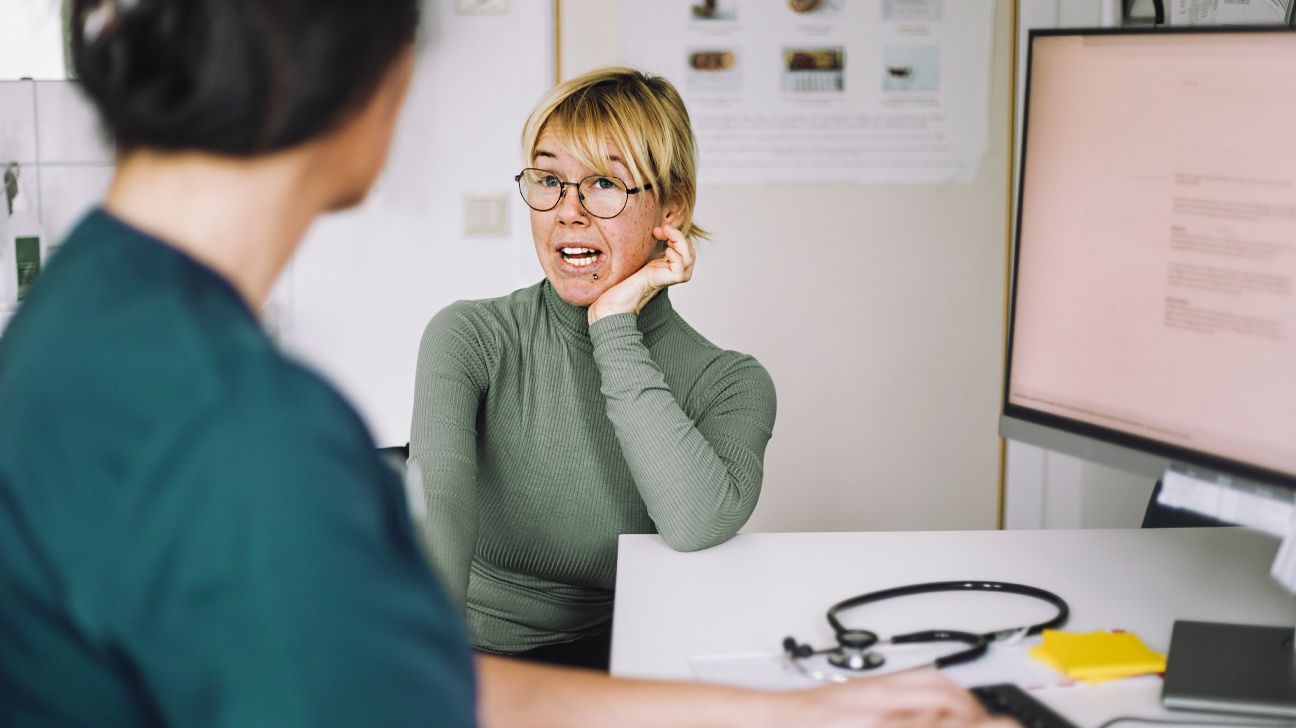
pixel 450 385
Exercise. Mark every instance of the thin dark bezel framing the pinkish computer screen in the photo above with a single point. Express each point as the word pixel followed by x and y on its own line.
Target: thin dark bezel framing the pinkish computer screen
pixel 1157 451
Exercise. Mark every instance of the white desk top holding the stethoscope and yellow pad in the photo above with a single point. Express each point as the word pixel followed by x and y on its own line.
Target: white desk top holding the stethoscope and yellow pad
pixel 747 595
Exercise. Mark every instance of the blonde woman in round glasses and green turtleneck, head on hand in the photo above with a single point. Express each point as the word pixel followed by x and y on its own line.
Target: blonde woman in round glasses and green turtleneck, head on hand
pixel 554 419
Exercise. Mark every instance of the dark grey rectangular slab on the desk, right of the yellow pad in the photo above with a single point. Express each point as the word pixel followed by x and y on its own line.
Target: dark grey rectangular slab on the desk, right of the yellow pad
pixel 1231 669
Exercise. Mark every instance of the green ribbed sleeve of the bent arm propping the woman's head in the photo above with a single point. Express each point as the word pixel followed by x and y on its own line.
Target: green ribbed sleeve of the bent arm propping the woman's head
pixel 699 480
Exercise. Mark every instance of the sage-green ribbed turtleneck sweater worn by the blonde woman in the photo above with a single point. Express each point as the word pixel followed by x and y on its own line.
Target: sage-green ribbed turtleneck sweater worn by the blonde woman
pixel 541 440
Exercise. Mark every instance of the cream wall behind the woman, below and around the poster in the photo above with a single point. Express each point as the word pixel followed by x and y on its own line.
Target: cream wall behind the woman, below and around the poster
pixel 879 313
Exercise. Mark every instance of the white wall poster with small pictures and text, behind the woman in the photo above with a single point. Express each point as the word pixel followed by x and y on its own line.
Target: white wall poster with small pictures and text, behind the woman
pixel 825 91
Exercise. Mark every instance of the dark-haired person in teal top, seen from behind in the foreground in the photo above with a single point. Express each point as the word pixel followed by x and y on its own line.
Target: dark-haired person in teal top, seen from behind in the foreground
pixel 194 529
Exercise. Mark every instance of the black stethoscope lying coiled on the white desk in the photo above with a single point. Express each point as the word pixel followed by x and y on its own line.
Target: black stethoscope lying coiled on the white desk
pixel 853 651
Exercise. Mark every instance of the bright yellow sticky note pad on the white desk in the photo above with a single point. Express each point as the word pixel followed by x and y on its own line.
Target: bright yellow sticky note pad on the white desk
pixel 1097 656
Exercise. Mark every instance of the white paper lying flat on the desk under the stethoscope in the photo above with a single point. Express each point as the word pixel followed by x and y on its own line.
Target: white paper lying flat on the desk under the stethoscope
pixel 772 672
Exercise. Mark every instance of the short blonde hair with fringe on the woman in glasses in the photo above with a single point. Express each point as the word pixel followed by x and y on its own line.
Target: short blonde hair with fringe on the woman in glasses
pixel 641 115
